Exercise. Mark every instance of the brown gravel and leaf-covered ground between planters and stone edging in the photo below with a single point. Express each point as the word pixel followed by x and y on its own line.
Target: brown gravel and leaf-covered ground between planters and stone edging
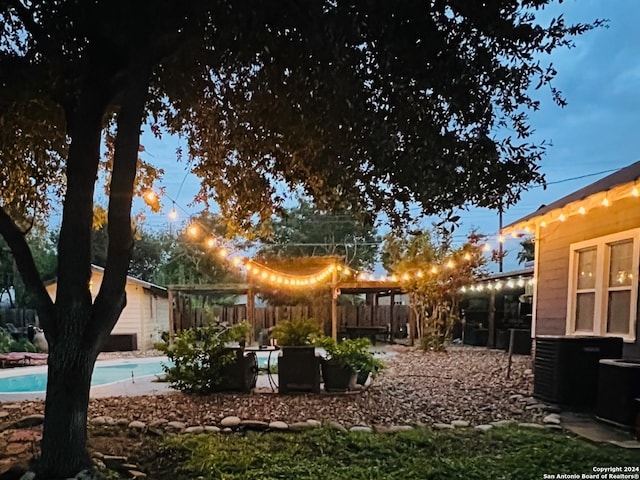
pixel 415 388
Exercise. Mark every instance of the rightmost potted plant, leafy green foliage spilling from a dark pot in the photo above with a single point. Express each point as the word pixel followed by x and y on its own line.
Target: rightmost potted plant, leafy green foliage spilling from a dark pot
pixel 345 361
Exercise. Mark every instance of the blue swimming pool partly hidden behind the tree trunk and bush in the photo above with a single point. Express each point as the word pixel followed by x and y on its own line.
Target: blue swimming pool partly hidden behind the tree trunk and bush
pixel 105 373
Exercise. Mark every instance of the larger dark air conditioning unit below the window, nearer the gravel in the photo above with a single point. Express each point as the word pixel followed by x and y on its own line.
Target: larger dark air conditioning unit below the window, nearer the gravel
pixel 566 367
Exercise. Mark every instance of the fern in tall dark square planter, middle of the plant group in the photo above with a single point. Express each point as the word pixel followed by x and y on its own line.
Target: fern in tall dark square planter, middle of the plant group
pixel 298 366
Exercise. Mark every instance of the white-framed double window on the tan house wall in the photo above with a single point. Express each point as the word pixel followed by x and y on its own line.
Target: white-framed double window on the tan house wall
pixel 603 285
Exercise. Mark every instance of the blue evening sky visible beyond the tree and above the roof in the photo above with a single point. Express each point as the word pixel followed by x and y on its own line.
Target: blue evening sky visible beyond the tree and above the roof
pixel 596 132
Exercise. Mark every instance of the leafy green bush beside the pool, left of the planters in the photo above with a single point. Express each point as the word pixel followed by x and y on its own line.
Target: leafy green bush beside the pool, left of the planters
pixel 199 357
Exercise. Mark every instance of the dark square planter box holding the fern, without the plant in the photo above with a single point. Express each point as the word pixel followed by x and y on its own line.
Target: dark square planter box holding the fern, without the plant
pixel 298 370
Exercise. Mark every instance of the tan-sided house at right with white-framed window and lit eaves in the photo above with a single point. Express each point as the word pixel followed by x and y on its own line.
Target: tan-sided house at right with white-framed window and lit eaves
pixel 587 260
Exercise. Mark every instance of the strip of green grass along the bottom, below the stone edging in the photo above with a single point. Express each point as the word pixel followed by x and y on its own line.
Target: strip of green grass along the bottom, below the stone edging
pixel 505 453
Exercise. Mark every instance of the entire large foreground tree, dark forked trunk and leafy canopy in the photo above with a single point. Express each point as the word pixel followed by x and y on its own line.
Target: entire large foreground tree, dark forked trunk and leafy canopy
pixel 365 105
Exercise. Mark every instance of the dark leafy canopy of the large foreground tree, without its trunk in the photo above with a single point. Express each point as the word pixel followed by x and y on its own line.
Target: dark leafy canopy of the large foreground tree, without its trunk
pixel 374 105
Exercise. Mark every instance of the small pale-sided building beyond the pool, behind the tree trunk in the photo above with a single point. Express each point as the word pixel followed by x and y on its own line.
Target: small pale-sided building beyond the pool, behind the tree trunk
pixel 144 318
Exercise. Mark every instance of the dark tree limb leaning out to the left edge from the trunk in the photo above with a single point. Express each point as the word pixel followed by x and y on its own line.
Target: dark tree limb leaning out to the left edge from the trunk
pixel 27 267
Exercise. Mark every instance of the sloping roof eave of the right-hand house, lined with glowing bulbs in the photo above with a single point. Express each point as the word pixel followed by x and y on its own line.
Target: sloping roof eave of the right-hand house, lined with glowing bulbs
pixel 617 185
